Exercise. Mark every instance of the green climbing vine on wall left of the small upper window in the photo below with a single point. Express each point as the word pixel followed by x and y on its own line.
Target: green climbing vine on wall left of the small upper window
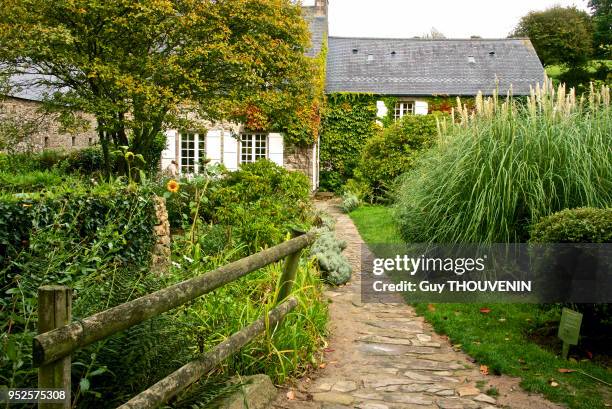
pixel 349 121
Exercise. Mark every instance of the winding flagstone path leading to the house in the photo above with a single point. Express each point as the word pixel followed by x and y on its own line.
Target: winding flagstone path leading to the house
pixel 383 356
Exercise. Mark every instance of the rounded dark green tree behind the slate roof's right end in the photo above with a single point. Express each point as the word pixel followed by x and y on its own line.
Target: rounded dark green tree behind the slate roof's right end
pixel 560 35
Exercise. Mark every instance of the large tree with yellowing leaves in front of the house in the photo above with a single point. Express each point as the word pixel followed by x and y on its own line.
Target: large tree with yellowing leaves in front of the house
pixel 138 66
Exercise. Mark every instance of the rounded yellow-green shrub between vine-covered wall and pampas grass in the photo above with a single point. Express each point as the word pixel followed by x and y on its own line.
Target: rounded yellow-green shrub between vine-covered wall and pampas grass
pixel 393 152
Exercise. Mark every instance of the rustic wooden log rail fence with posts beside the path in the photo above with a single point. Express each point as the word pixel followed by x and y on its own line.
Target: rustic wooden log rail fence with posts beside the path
pixel 59 337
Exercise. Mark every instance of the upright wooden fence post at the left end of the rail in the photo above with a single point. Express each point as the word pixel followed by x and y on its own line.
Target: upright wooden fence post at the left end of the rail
pixel 54 311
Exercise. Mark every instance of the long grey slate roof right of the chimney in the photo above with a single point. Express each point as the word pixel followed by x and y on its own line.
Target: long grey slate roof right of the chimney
pixel 415 67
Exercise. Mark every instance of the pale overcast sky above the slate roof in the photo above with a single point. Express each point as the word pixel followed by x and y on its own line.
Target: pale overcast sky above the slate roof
pixel 453 18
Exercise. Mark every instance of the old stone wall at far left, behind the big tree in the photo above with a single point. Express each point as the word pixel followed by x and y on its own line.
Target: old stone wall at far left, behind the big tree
pixel 49 134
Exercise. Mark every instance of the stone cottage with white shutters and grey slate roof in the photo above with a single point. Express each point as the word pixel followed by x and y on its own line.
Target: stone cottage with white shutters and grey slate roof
pixel 412 71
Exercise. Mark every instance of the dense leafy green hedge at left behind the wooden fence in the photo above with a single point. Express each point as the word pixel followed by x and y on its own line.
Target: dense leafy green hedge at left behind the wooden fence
pixel 97 241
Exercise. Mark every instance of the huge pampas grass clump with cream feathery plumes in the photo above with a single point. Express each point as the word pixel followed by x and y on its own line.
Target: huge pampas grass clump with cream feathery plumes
pixel 508 163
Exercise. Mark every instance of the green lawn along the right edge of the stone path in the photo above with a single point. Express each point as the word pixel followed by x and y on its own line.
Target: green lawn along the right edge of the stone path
pixel 502 339
